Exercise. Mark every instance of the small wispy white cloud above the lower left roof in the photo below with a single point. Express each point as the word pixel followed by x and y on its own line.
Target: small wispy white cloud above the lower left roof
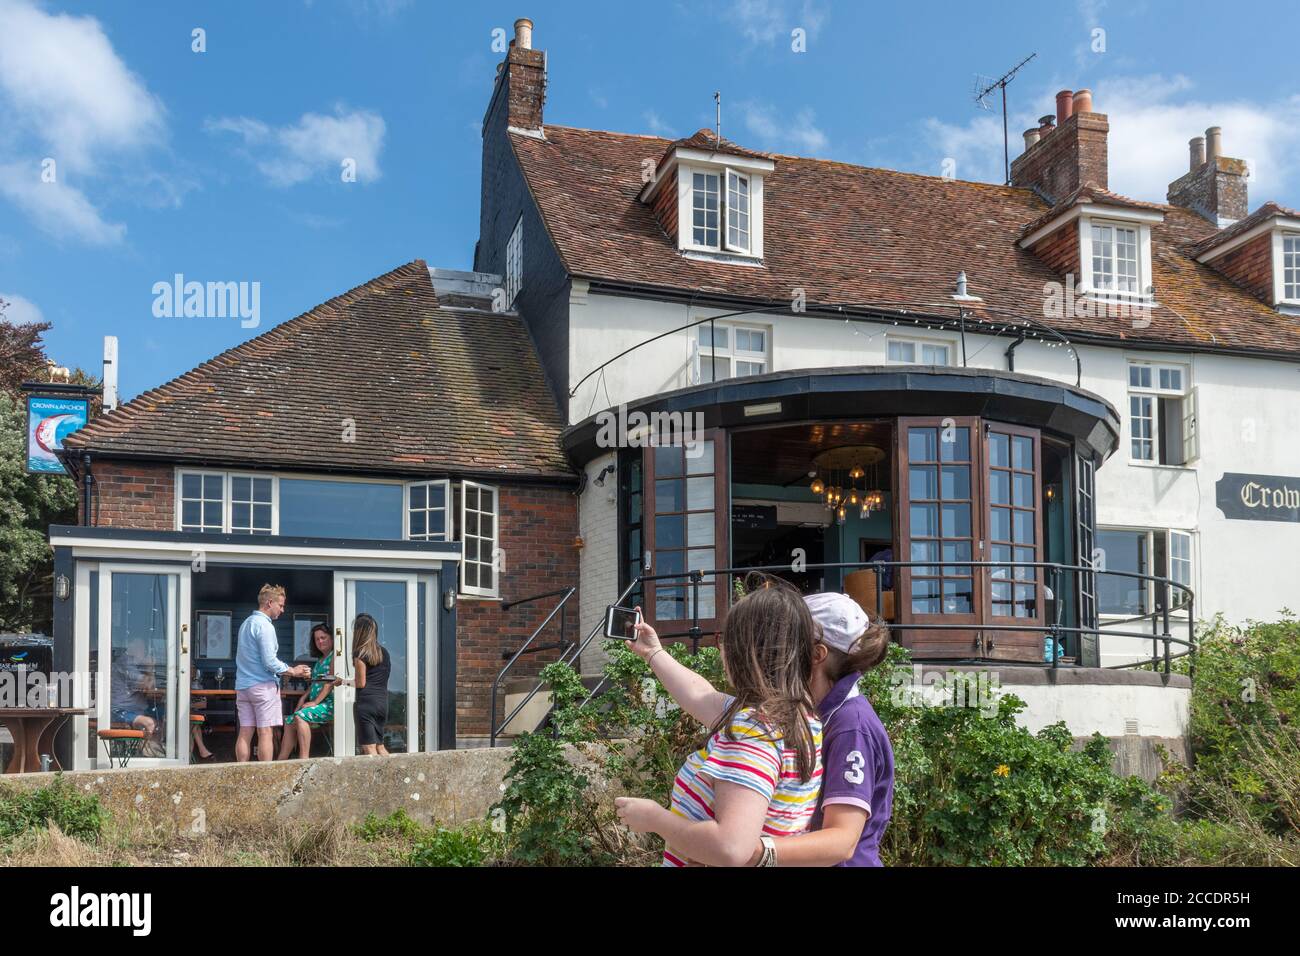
pixel 315 145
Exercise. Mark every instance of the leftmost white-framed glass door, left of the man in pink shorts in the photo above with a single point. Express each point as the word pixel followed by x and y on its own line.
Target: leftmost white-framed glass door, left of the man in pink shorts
pixel 144 660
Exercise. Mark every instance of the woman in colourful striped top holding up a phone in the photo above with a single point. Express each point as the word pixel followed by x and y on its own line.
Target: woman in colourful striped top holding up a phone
pixel 760 773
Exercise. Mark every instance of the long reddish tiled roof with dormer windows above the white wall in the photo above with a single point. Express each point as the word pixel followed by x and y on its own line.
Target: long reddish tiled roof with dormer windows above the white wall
pixel 853 235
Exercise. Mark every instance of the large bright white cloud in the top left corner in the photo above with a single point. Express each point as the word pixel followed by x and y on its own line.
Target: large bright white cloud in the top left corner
pixel 63 85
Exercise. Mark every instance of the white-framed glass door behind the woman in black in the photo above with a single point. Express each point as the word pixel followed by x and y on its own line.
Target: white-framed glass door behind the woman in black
pixel 391 719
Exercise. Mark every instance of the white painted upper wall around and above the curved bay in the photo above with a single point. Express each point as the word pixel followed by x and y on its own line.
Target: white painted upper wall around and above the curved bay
pixel 1250 422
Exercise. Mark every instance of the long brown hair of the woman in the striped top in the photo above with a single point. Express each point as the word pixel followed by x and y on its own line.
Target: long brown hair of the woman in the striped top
pixel 768 651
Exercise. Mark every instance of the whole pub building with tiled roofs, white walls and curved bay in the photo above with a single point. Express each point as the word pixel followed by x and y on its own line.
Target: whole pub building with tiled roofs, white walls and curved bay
pixel 1041 429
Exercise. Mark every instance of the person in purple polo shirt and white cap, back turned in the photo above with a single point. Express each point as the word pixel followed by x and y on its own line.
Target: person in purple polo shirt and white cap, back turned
pixel 857 782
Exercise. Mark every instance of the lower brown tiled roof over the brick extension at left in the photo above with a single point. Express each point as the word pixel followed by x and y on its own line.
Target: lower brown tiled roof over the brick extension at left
pixel 431 391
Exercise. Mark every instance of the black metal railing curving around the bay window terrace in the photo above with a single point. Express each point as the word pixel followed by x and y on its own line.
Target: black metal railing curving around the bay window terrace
pixel 1061 637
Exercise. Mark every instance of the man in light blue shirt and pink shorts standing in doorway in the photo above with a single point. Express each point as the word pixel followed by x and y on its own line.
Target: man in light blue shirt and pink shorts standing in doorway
pixel 258 671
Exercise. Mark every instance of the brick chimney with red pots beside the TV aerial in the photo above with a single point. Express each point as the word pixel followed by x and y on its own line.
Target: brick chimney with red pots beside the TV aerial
pixel 1068 155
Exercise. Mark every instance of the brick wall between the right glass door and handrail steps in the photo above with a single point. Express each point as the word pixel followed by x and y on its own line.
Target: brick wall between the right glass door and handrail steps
pixel 538 530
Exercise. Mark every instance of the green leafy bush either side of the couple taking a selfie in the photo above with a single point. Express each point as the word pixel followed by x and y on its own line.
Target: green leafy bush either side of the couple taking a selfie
pixel 969 790
